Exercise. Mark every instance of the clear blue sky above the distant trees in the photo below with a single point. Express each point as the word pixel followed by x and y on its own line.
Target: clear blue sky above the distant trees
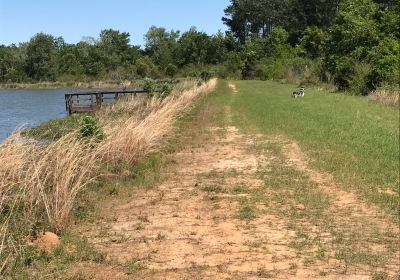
pixel 74 19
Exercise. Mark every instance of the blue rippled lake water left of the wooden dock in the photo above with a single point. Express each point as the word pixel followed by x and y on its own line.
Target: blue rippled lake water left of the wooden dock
pixel 27 108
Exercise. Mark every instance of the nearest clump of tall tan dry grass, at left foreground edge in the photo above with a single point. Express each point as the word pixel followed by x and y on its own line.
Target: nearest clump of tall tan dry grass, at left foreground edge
pixel 38 186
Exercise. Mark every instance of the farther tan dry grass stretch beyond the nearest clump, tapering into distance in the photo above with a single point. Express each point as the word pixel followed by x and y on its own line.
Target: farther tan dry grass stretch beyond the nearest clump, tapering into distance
pixel 136 136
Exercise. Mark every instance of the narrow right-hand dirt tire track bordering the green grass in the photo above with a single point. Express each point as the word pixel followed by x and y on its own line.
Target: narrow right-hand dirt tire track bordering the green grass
pixel 373 230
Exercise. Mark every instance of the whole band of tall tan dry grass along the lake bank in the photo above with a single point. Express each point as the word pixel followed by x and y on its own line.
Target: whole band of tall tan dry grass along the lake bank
pixel 41 182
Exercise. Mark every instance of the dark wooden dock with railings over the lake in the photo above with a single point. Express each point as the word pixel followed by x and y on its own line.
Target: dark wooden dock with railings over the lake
pixel 86 102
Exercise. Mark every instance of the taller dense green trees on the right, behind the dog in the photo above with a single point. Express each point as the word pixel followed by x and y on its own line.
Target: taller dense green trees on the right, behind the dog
pixel 352 43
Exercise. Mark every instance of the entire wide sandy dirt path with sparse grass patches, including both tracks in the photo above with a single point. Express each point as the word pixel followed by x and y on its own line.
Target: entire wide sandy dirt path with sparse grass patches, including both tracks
pixel 218 216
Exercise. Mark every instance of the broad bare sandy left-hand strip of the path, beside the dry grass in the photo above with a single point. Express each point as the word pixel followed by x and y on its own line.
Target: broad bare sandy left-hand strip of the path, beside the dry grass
pixel 187 232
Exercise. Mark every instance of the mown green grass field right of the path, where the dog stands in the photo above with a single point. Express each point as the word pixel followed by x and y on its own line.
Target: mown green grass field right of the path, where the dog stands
pixel 353 138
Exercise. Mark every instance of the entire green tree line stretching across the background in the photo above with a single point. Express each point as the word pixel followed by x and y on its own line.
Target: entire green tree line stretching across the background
pixel 353 44
